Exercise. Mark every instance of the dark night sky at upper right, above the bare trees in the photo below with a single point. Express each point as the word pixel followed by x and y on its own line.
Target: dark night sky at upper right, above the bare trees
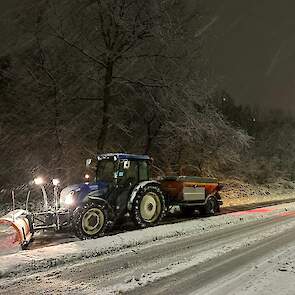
pixel 251 46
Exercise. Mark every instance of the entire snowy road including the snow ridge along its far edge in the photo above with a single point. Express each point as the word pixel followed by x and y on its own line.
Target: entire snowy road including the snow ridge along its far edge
pixel 238 253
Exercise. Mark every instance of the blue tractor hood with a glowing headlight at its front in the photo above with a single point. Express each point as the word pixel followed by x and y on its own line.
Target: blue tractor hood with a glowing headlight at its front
pixel 75 194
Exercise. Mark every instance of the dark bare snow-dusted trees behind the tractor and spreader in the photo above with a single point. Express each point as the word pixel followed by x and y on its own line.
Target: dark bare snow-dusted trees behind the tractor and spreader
pixel 125 76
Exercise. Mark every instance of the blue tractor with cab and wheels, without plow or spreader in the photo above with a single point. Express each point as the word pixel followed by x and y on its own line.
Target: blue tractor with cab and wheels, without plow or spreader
pixel 117 184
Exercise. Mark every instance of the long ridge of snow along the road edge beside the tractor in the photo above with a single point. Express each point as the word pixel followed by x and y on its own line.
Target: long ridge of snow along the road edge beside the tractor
pixel 44 258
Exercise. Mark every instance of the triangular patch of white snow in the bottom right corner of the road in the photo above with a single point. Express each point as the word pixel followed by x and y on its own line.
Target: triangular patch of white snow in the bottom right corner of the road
pixel 271 274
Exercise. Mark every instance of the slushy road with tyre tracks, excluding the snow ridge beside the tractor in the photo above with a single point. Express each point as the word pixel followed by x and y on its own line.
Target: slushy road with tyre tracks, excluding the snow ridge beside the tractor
pixel 253 257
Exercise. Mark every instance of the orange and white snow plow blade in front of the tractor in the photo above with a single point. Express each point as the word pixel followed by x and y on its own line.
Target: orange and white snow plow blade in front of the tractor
pixel 15 231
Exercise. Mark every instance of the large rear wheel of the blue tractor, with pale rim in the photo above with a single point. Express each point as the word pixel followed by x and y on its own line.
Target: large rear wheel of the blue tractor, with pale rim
pixel 148 207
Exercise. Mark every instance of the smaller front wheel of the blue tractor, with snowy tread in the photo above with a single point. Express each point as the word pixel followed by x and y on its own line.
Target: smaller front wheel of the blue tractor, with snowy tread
pixel 90 221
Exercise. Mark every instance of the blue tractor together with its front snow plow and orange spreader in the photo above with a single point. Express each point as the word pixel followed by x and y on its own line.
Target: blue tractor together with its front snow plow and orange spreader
pixel 116 185
